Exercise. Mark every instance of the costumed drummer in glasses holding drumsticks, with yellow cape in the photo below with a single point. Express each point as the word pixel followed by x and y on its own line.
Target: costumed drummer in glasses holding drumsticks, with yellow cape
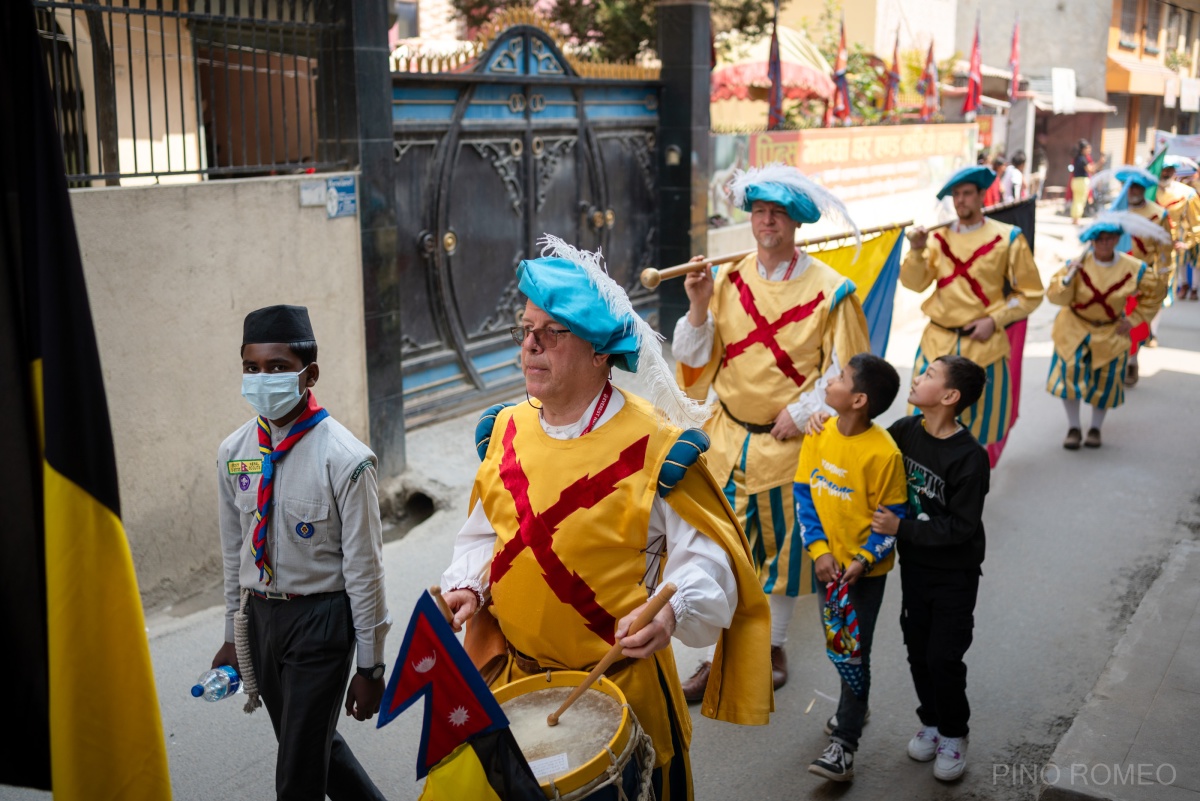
pixel 589 499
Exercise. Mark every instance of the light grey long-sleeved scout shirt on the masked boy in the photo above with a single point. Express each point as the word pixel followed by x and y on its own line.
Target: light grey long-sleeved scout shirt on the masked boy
pixel 325 533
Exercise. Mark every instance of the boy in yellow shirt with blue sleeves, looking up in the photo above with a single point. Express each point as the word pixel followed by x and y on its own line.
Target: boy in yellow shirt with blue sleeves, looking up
pixel 849 468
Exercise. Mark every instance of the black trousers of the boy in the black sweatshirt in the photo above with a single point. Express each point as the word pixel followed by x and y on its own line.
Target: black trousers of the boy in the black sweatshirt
pixel 938 621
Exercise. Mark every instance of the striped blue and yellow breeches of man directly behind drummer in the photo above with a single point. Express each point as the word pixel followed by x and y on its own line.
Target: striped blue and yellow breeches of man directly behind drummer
pixel 775 534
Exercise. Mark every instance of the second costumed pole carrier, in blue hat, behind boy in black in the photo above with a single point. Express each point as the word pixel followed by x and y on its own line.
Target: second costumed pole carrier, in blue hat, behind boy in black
pixel 985 280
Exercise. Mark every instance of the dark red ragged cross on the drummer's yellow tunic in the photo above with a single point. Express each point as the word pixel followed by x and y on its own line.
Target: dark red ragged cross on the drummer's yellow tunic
pixel 537 529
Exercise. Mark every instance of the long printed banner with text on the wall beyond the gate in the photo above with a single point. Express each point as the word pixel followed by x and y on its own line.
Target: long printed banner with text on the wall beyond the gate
pixel 855 164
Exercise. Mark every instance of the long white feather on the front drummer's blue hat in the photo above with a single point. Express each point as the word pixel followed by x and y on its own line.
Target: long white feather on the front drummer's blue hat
pixel 667 396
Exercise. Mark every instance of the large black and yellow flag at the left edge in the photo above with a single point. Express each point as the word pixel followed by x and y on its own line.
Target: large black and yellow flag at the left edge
pixel 80 694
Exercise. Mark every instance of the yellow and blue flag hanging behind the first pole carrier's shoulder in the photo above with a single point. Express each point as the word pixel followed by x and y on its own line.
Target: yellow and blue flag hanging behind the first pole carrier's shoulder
pixel 875 275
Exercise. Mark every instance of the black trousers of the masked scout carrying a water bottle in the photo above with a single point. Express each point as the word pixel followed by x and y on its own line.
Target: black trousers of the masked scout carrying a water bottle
pixel 303 651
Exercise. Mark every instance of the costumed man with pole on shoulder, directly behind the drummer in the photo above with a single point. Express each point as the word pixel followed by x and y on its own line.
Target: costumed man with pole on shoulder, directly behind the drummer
pixel 766 334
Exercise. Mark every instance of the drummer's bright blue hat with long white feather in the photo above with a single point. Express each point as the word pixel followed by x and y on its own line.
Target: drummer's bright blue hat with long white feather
pixel 574 287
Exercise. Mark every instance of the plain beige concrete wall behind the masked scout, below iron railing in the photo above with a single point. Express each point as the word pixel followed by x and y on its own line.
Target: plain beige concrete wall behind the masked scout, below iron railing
pixel 172 272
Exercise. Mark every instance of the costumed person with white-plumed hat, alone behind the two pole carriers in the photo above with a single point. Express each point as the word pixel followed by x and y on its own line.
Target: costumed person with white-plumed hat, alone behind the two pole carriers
pixel 1091 334
